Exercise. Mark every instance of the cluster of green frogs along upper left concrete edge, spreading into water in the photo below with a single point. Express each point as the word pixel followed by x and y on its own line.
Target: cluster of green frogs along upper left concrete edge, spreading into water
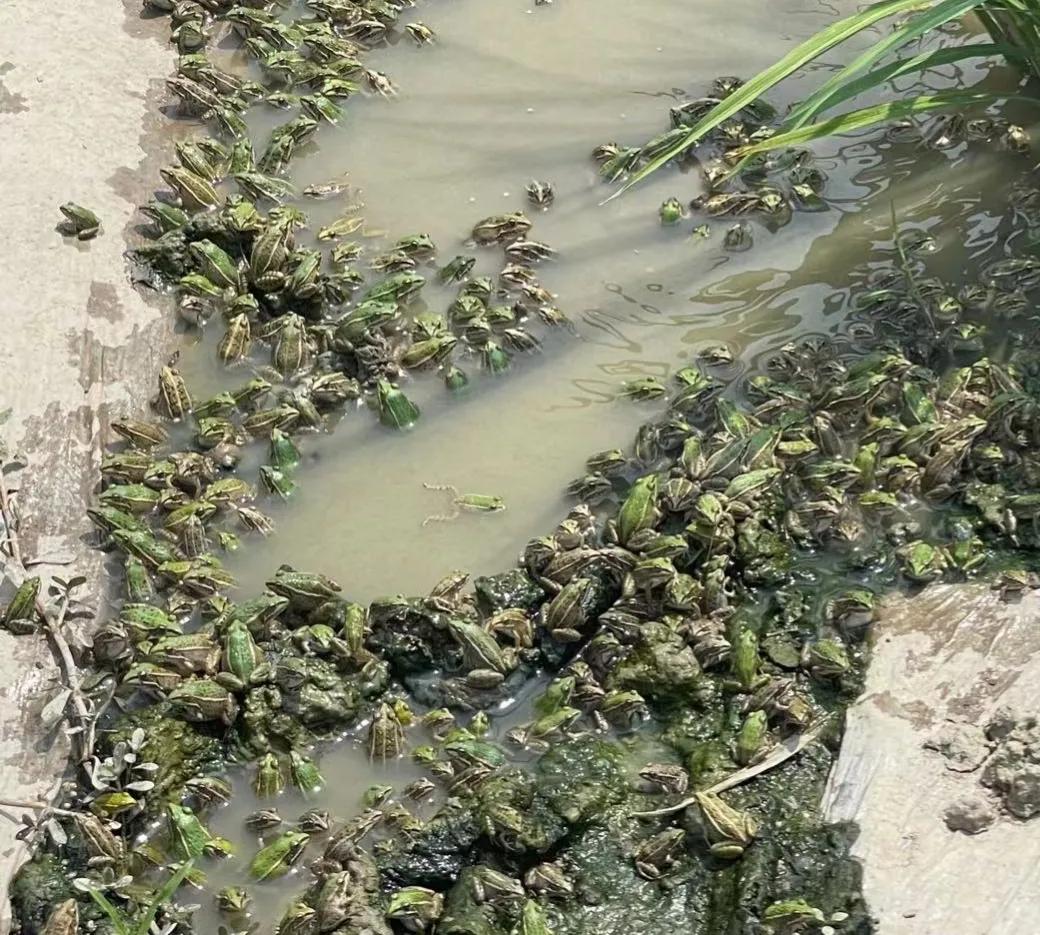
pixel 231 237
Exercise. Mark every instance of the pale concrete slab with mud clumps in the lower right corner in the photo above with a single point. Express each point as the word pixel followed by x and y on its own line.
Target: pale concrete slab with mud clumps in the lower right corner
pixel 952 654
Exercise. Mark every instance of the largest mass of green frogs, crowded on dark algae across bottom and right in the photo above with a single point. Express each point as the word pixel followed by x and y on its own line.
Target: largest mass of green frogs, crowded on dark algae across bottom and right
pixel 712 591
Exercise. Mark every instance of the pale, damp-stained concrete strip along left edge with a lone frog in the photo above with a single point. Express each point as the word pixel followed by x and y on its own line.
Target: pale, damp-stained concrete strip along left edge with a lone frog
pixel 80 121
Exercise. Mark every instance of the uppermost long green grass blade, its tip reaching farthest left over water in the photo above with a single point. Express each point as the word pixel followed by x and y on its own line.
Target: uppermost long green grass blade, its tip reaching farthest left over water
pixel 807 53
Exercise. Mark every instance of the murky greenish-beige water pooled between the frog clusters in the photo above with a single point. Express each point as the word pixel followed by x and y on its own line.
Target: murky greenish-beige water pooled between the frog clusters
pixel 509 94
